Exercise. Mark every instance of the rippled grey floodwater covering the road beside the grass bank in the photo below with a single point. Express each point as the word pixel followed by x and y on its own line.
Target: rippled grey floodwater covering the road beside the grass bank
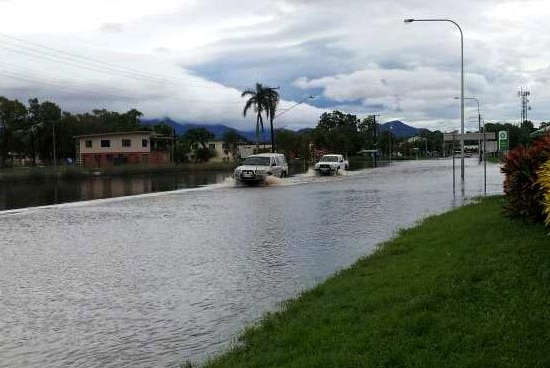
pixel 155 279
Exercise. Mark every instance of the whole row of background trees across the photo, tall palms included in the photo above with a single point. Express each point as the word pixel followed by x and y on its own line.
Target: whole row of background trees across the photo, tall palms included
pixel 29 129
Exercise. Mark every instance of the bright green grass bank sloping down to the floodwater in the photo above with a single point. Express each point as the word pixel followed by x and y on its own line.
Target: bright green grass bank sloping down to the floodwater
pixel 469 288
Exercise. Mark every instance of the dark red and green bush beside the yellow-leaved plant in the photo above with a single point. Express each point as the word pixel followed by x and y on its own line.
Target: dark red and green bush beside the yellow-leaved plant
pixel 523 192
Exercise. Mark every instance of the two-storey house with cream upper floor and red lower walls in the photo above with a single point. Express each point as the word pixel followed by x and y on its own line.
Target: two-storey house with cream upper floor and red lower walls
pixel 109 149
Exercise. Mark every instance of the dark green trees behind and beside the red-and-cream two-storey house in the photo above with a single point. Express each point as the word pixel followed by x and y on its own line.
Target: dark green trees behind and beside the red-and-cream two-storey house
pixel 28 130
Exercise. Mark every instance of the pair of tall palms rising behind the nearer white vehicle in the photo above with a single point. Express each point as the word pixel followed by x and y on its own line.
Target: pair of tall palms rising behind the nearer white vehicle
pixel 263 100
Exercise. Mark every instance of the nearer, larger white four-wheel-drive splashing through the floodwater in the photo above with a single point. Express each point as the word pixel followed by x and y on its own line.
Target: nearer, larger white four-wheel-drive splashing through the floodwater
pixel 256 168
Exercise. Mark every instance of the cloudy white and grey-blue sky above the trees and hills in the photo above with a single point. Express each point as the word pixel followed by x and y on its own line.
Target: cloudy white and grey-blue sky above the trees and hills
pixel 190 59
